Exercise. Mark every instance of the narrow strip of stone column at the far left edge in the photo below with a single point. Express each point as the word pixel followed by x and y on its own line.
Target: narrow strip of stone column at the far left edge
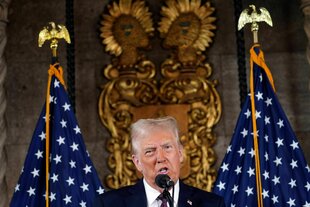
pixel 3 128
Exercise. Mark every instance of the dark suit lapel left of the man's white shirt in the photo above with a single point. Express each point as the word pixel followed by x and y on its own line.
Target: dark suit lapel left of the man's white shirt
pixel 137 196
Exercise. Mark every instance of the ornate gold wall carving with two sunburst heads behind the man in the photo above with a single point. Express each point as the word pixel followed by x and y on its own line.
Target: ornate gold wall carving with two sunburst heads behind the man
pixel 182 89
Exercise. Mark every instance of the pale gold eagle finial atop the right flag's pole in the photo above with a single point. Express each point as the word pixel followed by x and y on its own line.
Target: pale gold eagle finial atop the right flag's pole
pixel 253 17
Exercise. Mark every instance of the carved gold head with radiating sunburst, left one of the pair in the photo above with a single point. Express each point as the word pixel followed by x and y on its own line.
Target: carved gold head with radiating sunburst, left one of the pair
pixel 125 29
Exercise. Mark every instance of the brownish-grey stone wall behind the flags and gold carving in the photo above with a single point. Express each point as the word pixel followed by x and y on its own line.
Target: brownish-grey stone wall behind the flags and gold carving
pixel 284 46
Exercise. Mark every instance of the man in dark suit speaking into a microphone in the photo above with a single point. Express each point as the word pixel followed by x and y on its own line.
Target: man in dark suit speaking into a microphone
pixel 157 150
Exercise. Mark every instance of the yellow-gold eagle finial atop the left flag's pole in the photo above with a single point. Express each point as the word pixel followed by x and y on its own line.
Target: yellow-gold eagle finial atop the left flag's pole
pixel 53 34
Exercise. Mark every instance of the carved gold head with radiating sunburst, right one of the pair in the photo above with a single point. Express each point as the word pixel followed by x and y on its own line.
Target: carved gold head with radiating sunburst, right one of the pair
pixel 187 25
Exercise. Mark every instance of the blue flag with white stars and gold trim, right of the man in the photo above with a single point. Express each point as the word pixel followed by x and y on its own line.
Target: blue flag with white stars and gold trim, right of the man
pixel 284 178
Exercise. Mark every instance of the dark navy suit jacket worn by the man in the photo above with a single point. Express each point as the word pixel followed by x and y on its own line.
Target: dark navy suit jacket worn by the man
pixel 135 196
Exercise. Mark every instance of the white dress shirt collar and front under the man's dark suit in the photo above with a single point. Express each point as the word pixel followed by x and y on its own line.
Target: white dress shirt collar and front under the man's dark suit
pixel 152 194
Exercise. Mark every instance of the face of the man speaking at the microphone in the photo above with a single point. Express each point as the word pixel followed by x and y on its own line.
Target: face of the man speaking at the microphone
pixel 158 153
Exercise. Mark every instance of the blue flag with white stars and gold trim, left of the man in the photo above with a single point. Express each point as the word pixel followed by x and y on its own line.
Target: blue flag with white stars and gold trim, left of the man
pixel 73 180
